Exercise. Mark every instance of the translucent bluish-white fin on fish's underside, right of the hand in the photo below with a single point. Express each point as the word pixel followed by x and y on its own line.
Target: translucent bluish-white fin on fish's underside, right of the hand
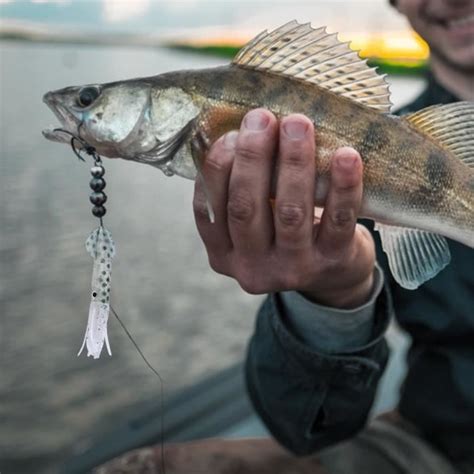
pixel 414 256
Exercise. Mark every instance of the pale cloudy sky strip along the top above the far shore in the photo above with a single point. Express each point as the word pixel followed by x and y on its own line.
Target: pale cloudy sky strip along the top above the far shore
pixel 155 16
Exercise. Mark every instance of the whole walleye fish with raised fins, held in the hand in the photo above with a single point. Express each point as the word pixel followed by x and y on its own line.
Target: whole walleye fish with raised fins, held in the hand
pixel 418 169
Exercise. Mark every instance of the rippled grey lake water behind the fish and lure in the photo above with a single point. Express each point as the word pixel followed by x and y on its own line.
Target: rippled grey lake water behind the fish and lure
pixel 189 321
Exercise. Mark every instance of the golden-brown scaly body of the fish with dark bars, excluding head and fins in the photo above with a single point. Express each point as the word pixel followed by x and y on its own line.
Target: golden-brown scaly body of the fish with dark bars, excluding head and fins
pixel 396 157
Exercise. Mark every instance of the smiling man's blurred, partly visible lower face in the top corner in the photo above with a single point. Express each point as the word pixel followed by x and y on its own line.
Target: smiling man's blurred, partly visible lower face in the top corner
pixel 447 26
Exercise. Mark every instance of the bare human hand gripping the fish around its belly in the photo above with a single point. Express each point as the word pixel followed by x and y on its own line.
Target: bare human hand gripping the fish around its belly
pixel 330 260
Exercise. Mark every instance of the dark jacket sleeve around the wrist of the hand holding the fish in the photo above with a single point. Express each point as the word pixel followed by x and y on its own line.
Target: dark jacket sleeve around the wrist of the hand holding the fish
pixel 307 398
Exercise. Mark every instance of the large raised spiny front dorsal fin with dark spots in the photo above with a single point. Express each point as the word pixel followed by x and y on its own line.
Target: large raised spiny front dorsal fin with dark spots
pixel 315 56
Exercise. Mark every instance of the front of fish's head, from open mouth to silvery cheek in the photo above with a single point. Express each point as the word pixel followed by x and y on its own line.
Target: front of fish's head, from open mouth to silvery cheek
pixel 105 116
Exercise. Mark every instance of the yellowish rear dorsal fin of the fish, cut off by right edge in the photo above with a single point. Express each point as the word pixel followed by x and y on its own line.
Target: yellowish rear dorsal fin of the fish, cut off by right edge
pixel 451 126
